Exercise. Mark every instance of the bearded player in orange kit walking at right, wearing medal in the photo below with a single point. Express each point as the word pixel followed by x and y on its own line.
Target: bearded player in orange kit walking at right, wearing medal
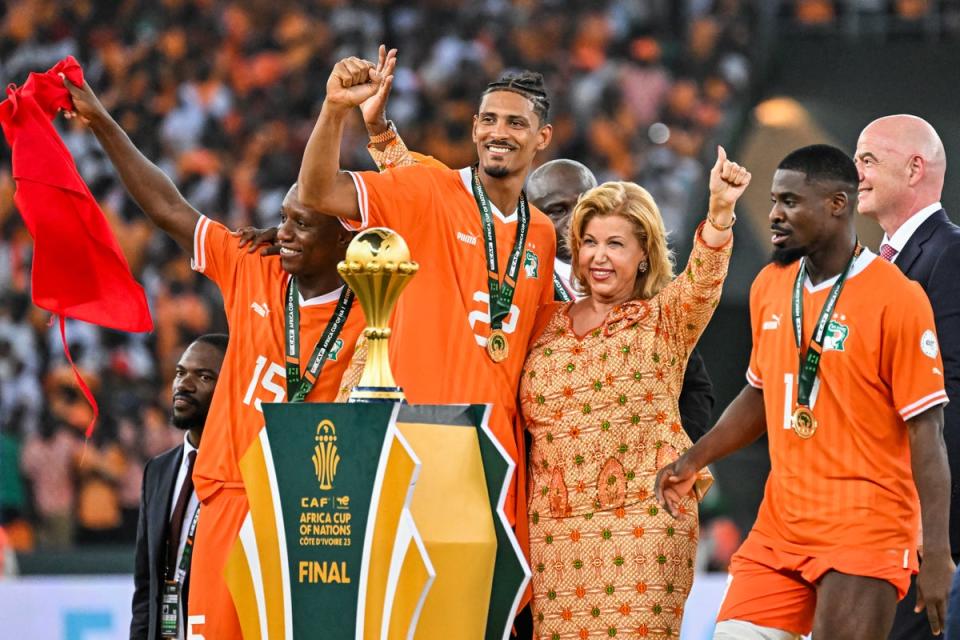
pixel 846 379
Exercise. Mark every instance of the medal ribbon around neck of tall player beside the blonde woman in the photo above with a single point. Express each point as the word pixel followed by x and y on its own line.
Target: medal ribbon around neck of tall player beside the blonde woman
pixel 501 294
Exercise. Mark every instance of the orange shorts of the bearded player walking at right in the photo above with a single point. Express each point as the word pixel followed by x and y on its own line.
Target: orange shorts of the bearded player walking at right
pixel 778 589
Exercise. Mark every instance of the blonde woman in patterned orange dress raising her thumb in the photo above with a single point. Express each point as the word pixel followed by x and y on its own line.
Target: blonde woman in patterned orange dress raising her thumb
pixel 599 397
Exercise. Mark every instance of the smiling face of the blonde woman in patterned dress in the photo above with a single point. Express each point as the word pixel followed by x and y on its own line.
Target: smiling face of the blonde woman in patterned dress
pixel 609 258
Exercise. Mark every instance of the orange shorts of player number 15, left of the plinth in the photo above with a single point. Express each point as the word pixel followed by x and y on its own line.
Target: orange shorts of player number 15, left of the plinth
pixel 211 610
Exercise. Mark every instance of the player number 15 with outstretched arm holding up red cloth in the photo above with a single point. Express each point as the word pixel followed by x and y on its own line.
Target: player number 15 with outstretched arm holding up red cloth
pixel 290 313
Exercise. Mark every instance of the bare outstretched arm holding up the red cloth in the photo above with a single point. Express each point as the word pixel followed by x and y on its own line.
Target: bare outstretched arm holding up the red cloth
pixel 150 187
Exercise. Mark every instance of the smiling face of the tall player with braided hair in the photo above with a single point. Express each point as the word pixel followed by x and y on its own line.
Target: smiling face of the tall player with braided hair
pixel 508 134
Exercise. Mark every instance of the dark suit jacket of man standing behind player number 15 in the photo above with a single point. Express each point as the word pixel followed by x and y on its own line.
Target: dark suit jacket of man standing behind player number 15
pixel 156 495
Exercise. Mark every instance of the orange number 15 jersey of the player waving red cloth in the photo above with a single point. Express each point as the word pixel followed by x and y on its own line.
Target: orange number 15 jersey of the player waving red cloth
pixel 253 372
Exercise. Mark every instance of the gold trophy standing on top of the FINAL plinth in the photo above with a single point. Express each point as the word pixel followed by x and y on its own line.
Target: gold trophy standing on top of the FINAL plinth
pixel 377 268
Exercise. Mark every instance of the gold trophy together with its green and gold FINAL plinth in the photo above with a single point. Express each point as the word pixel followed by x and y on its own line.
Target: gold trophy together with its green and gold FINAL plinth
pixel 350 528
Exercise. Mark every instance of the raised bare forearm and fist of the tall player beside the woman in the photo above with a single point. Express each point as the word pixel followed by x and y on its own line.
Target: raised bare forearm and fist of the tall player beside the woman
pixel 322 185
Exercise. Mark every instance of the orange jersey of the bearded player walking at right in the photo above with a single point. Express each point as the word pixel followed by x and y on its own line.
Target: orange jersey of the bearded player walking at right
pixel 850 485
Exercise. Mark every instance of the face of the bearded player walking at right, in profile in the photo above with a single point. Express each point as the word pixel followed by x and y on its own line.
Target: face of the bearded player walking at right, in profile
pixel 799 217
